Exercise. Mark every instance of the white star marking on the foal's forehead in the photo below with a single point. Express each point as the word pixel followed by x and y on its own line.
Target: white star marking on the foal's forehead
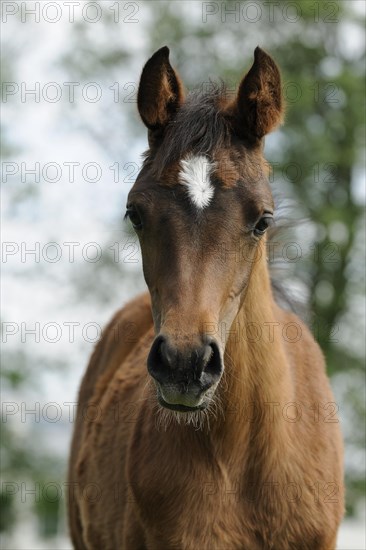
pixel 195 175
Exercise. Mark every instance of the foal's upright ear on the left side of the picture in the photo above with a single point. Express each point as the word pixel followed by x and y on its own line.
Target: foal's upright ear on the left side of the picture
pixel 160 92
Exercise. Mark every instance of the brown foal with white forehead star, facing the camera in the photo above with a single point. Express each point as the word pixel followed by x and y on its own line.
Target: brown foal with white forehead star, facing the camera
pixel 228 439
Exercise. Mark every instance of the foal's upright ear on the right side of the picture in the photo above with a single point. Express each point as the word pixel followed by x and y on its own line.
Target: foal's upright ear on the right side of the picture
pixel 258 107
